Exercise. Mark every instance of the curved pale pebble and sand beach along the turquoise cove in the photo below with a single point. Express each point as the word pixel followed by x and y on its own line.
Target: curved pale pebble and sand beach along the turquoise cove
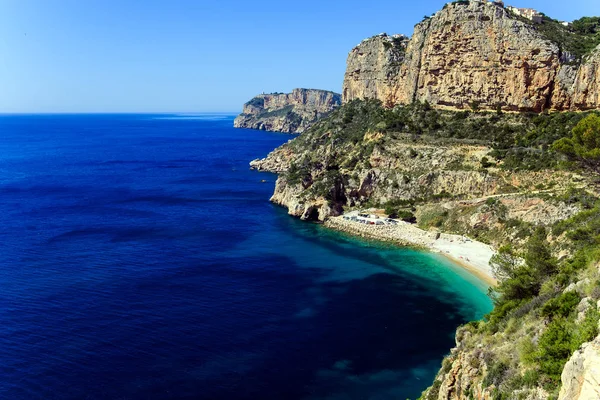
pixel 471 255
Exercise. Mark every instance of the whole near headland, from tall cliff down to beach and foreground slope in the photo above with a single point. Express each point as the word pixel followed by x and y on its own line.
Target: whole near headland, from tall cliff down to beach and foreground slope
pixel 450 131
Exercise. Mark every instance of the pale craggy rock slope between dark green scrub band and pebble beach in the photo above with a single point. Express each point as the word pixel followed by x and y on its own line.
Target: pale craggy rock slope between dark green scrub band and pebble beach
pixel 402 170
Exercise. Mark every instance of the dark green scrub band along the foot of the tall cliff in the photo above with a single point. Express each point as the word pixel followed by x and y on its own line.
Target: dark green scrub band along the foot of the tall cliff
pixel 521 141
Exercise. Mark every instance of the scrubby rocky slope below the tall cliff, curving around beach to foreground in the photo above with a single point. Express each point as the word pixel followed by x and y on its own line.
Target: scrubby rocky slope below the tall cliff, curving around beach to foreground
pixel 453 172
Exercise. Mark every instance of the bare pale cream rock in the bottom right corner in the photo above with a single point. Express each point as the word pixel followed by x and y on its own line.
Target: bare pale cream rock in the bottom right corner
pixel 581 375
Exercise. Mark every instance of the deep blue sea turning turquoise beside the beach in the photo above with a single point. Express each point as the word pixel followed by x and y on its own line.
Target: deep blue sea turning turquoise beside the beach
pixel 140 259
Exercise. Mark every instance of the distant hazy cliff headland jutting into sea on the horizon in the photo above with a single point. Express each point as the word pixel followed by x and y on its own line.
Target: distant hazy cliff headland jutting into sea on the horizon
pixel 290 113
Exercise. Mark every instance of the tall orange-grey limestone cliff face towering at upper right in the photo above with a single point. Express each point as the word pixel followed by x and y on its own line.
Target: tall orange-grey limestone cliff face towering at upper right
pixel 473 52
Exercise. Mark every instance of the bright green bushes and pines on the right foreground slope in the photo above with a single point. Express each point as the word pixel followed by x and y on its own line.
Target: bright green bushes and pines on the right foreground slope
pixel 531 288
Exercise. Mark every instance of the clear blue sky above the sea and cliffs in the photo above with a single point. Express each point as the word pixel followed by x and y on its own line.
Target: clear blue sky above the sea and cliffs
pixel 192 56
